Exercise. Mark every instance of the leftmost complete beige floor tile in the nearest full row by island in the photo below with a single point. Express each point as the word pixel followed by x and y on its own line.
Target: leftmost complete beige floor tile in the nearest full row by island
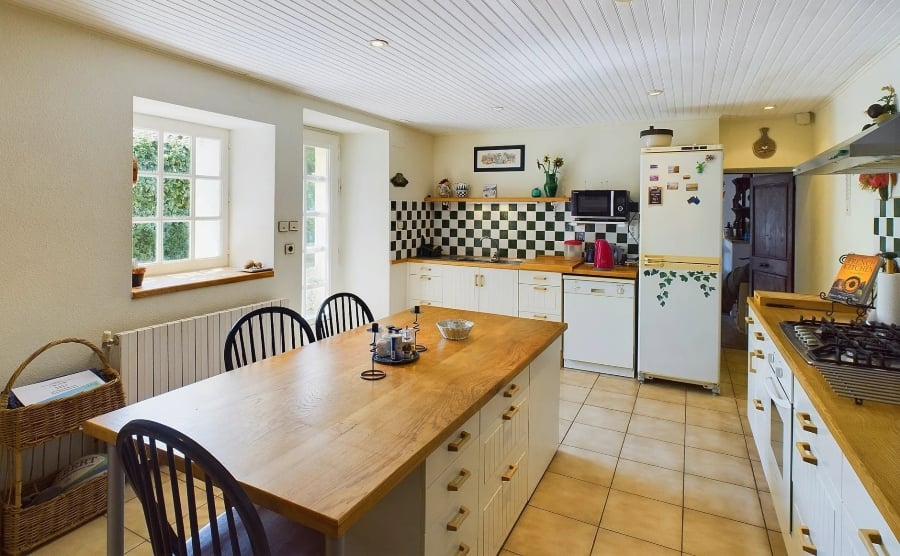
pixel 570 497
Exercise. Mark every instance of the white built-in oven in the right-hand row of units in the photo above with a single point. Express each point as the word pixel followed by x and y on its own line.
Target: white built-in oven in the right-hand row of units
pixel 775 395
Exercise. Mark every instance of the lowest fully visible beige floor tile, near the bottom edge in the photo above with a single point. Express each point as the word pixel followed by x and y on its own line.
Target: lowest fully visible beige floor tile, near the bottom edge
pixel 628 514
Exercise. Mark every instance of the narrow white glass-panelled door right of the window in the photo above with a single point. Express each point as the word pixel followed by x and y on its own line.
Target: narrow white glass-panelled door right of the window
pixel 320 185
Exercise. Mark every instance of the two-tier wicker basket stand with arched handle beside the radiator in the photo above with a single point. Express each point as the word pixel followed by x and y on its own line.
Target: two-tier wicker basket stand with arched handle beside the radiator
pixel 27 427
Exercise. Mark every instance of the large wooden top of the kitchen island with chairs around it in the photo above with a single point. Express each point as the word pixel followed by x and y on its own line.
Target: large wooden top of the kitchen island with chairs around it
pixel 308 438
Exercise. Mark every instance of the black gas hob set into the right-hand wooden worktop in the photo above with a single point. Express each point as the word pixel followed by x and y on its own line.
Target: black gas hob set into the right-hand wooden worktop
pixel 859 360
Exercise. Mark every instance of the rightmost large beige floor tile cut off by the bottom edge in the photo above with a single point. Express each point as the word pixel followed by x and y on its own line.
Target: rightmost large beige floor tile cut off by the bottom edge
pixel 709 535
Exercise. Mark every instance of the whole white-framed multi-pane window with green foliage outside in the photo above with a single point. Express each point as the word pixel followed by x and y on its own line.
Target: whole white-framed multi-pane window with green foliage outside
pixel 179 217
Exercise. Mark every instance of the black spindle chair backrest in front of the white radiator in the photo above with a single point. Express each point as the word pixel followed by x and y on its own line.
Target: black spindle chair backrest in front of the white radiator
pixel 263 333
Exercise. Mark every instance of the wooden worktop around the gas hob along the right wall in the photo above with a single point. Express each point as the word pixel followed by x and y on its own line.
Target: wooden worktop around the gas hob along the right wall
pixel 868 434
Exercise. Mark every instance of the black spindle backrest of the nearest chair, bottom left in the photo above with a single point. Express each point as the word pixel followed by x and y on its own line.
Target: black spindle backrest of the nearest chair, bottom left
pixel 222 520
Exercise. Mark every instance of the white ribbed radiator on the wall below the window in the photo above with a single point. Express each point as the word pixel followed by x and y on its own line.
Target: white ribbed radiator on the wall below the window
pixel 166 356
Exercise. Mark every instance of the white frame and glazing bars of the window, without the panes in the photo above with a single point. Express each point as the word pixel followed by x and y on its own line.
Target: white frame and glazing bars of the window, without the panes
pixel 194 130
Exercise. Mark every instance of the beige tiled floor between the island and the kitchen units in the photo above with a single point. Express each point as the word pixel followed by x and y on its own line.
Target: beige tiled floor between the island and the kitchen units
pixel 653 469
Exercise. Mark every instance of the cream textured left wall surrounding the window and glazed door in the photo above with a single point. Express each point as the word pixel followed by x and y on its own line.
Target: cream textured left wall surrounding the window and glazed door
pixel 65 148
